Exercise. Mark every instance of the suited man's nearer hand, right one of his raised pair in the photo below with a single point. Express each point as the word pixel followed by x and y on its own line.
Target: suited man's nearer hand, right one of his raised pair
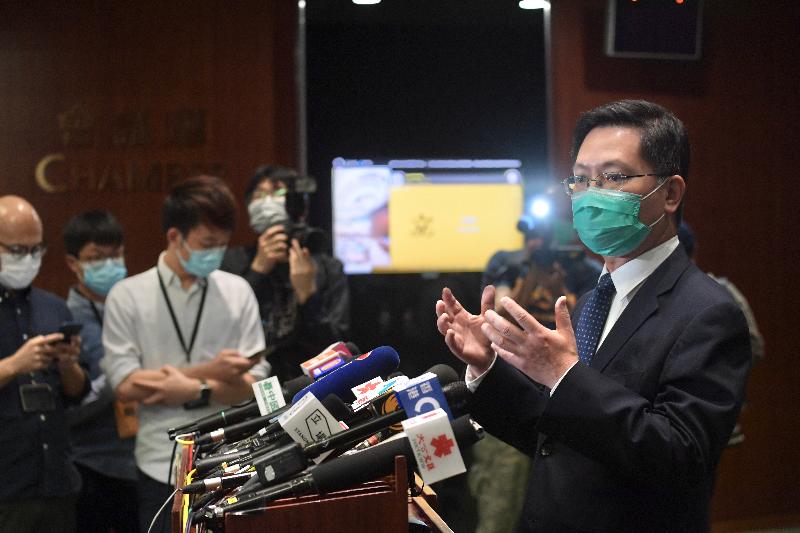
pixel 543 354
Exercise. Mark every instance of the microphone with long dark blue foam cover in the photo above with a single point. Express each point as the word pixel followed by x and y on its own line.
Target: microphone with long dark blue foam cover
pixel 381 361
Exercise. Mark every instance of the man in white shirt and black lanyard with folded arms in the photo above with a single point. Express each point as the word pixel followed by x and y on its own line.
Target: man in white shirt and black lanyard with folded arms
pixel 176 336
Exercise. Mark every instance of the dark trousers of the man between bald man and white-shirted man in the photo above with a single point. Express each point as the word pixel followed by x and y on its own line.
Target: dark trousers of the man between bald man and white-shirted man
pixel 106 502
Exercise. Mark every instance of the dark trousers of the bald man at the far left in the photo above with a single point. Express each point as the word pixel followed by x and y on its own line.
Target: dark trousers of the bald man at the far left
pixel 47 515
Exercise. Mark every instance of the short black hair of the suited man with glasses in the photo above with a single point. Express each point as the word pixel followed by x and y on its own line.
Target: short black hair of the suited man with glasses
pixel 664 140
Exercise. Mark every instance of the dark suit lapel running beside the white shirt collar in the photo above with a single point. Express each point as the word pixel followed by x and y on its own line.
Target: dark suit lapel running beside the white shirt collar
pixel 643 305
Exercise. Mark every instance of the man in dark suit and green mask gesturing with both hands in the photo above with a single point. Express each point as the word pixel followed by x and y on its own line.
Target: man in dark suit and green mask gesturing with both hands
pixel 627 415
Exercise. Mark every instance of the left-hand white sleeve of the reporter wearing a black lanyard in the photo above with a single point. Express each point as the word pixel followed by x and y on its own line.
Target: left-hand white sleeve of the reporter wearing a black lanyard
pixel 122 354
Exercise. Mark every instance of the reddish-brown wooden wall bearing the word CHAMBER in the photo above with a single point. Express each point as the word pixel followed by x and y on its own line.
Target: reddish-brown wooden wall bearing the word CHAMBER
pixel 117 100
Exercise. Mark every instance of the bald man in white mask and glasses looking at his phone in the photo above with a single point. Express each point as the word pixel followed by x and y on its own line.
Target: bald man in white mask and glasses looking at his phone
pixel 39 374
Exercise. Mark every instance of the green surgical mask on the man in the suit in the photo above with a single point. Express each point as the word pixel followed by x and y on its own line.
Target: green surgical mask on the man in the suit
pixel 607 221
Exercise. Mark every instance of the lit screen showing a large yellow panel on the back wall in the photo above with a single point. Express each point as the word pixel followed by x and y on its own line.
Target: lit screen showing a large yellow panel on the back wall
pixel 424 215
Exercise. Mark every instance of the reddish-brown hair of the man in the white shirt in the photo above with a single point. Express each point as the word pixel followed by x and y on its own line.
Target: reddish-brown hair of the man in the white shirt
pixel 199 200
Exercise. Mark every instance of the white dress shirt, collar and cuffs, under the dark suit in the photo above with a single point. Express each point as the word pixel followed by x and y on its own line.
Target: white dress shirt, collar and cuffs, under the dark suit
pixel 628 279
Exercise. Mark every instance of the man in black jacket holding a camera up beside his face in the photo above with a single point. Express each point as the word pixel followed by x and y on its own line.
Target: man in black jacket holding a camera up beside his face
pixel 301 289
